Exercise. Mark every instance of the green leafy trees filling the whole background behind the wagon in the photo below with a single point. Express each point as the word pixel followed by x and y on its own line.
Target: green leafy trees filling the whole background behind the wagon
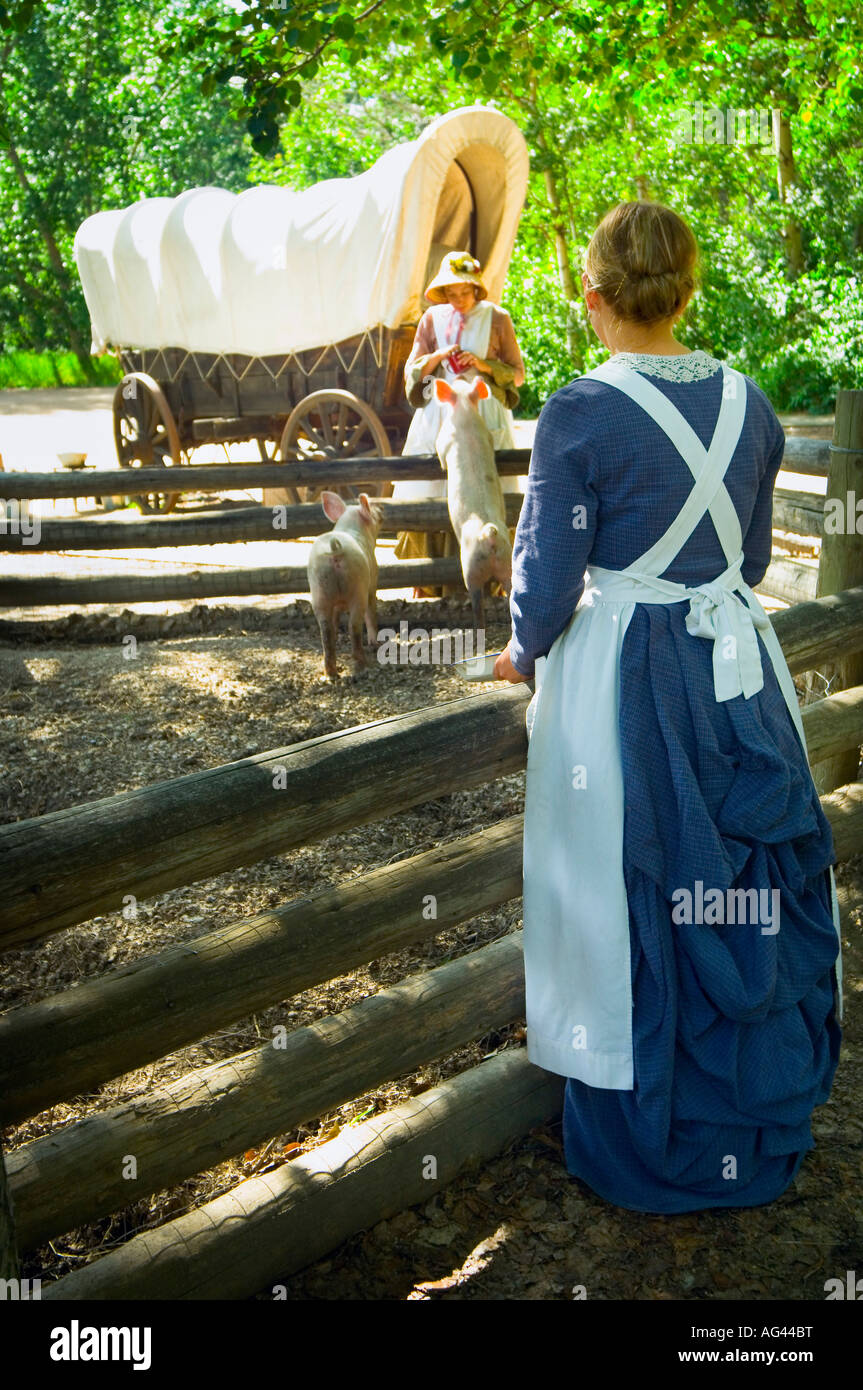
pixel 106 101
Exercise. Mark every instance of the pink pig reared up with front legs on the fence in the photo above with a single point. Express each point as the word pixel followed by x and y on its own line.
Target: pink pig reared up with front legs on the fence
pixel 473 490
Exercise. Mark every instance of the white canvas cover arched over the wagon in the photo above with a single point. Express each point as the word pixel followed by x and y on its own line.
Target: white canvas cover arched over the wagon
pixel 272 270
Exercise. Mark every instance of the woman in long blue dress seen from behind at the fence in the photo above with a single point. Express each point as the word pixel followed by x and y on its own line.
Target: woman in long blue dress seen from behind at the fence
pixel 680 917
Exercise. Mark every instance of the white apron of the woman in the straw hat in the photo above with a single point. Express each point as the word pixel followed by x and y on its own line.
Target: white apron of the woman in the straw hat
pixel 426 426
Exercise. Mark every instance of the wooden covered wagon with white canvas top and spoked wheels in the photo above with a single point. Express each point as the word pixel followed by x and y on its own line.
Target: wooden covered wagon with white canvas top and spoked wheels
pixel 286 318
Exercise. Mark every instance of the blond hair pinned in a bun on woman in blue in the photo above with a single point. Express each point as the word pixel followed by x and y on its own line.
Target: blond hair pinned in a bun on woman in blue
pixel 644 262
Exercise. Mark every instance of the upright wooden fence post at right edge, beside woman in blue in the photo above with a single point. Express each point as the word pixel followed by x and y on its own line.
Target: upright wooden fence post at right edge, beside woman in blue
pixel 841 561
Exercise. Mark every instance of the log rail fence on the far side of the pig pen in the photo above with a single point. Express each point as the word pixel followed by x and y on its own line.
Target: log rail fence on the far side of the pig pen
pixel 789 579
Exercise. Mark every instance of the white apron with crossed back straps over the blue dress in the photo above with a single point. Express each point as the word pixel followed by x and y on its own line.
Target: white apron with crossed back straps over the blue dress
pixel 576 913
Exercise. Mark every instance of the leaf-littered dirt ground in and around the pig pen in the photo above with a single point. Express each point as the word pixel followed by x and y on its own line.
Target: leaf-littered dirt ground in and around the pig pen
pixel 215 683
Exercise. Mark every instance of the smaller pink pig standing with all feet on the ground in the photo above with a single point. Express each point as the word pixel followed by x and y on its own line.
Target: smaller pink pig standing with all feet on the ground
pixel 344 576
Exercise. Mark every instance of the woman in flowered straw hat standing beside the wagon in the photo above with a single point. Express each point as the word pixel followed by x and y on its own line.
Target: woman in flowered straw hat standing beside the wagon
pixel 462 336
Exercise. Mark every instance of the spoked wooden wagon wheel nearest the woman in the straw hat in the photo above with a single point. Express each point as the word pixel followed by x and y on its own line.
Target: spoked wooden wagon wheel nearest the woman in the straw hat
pixel 336 425
